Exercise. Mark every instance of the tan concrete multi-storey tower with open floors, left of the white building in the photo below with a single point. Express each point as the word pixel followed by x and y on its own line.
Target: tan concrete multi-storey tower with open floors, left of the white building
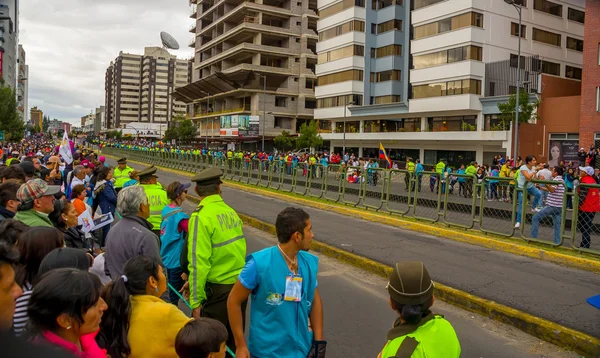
pixel 252 59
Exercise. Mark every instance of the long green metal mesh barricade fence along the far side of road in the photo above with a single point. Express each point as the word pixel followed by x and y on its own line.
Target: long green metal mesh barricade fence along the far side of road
pixel 492 205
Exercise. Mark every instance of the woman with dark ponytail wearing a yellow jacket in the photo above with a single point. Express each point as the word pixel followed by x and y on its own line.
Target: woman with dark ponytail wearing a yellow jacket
pixel 138 323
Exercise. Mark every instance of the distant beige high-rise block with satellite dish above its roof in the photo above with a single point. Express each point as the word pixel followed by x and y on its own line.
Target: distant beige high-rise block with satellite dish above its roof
pixel 138 88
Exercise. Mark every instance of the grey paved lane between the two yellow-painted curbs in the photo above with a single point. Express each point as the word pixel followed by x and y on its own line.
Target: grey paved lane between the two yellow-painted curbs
pixel 540 288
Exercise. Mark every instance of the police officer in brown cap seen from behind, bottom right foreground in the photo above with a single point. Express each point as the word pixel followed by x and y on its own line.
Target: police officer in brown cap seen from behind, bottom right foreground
pixel 417 332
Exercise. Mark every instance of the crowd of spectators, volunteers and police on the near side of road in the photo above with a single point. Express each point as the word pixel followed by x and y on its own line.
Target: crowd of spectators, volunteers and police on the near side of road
pixel 98 262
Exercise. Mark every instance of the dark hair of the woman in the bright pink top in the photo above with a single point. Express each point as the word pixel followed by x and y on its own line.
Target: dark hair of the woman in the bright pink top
pixel 62 291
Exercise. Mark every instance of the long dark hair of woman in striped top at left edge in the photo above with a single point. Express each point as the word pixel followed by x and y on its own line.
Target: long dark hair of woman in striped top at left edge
pixel 33 246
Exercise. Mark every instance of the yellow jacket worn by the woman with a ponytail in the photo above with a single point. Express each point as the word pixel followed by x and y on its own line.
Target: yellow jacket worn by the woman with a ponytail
pixel 153 326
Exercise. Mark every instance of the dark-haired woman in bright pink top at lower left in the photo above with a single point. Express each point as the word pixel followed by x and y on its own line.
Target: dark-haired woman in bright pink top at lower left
pixel 65 310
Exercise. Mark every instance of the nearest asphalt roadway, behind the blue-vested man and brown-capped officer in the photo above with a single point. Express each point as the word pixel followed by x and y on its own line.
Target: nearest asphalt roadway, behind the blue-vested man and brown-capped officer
pixel 358 316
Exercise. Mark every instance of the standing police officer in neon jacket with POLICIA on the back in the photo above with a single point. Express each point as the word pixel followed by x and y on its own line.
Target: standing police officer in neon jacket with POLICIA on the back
pixel 216 251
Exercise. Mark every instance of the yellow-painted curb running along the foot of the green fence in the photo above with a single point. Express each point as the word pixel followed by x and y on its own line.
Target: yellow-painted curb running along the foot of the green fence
pixel 464 236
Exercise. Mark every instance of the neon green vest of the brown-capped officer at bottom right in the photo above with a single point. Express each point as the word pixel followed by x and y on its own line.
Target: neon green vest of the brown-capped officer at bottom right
pixel 433 337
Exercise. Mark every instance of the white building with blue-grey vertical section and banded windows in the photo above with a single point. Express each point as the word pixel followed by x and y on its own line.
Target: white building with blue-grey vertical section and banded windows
pixel 431 70
